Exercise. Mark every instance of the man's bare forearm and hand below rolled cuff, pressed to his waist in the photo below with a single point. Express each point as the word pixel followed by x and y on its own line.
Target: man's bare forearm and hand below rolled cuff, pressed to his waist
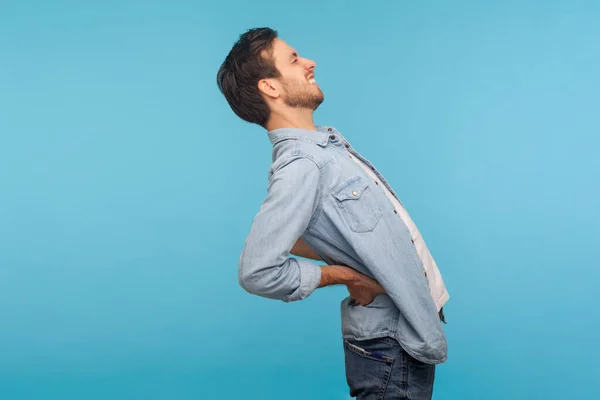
pixel 362 288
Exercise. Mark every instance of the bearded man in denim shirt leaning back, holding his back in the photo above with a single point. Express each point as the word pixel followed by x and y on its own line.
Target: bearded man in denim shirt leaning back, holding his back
pixel 327 202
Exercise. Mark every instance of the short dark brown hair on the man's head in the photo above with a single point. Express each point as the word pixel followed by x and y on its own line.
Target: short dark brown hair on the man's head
pixel 250 60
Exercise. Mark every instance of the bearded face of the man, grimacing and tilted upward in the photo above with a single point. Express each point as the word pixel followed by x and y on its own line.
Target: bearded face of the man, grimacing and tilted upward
pixel 299 88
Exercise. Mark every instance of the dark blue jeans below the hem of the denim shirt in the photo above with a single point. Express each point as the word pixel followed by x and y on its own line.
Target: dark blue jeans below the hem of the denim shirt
pixel 379 369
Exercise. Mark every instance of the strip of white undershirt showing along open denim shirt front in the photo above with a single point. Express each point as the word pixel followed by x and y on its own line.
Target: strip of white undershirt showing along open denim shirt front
pixel 436 284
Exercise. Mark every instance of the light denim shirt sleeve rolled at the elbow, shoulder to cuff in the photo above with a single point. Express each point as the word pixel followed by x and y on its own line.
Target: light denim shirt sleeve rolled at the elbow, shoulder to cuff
pixel 265 267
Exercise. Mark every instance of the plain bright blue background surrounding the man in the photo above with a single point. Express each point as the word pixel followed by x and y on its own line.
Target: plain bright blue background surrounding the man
pixel 128 187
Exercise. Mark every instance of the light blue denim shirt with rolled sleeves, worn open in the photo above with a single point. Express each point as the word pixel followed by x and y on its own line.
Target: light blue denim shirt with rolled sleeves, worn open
pixel 315 191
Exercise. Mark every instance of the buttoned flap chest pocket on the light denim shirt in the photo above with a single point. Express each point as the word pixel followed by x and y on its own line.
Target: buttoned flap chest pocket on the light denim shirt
pixel 359 206
